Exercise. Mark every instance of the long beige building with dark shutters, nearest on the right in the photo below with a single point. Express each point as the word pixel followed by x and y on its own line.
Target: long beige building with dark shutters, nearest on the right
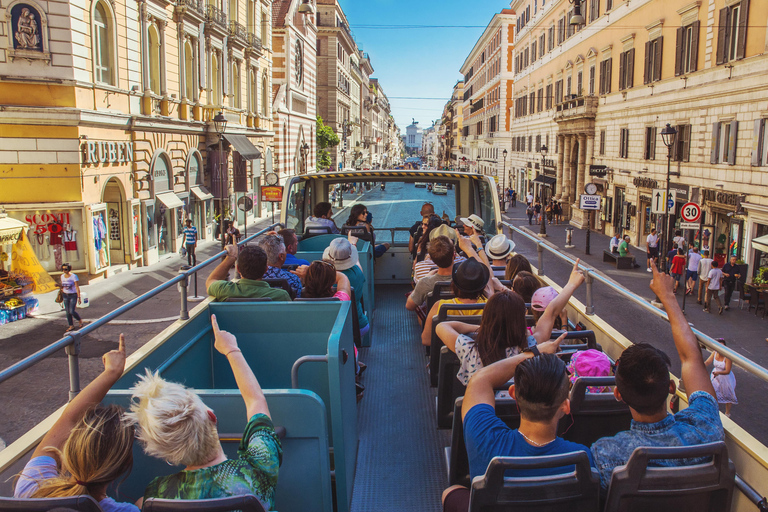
pixel 600 94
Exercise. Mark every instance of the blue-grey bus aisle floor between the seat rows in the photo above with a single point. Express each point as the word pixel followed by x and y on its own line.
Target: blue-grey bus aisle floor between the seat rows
pixel 400 463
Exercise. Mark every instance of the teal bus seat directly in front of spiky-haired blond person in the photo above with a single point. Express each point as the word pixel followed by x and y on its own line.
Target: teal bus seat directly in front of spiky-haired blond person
pixel 304 481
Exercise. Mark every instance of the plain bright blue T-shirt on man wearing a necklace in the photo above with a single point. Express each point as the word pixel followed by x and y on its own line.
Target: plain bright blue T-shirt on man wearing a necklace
pixel 486 437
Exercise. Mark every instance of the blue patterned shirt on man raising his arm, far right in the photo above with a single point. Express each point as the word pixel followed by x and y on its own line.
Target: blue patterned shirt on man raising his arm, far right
pixel 697 424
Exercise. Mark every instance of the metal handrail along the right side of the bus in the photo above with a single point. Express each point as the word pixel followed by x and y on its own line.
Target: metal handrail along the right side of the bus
pixel 711 344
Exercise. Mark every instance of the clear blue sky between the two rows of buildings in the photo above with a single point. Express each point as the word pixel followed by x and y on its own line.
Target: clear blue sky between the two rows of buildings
pixel 415 61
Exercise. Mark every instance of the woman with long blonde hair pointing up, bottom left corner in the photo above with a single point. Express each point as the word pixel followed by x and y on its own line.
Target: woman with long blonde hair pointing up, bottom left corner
pixel 91 442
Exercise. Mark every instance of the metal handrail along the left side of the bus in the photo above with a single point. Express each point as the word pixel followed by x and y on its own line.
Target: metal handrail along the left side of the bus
pixel 71 341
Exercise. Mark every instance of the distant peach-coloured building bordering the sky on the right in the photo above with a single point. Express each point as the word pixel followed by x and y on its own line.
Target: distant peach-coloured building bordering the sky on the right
pixel 488 82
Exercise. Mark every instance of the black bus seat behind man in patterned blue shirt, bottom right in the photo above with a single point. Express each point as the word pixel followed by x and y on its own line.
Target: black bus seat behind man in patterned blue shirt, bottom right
pixel 701 487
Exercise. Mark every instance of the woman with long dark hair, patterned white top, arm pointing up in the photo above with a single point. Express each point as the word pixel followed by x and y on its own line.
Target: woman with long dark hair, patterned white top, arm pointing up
pixel 502 332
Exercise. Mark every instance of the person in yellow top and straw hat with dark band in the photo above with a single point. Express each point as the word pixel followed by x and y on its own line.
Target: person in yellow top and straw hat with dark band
pixel 469 284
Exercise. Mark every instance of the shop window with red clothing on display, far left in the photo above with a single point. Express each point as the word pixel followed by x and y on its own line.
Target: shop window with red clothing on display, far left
pixel 56 236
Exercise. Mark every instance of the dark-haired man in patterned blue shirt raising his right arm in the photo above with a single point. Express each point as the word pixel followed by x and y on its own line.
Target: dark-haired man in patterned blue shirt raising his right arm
pixel 643 383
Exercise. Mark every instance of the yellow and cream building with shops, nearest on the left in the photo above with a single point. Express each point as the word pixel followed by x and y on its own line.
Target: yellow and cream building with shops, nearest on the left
pixel 106 137
